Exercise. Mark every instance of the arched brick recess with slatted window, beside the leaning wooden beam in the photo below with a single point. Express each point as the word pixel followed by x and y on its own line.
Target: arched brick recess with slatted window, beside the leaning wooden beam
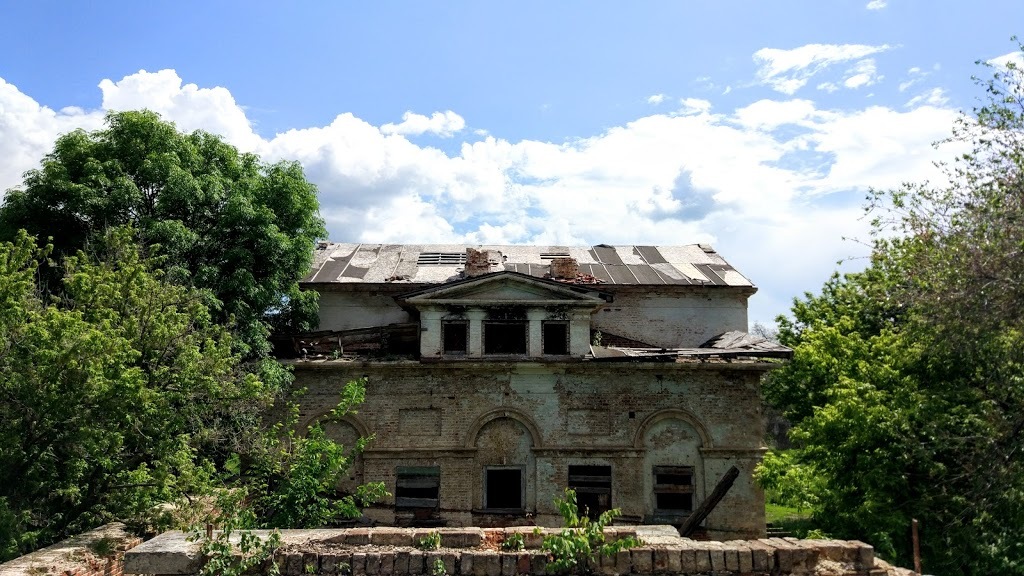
pixel 673 442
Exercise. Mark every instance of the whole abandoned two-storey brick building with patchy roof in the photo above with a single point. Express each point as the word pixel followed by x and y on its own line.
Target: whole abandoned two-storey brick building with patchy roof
pixel 497 377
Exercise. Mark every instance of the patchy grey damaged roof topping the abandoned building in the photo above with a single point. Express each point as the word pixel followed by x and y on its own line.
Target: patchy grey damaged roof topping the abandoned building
pixel 436 264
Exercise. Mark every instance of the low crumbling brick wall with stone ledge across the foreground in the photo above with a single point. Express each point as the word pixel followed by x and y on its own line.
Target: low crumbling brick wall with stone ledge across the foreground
pixel 476 552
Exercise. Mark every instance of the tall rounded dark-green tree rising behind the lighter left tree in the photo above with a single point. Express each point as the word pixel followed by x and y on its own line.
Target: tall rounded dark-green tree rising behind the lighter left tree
pixel 229 223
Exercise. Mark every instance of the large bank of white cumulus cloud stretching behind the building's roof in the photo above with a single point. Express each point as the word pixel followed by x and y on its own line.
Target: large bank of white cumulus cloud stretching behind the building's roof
pixel 764 180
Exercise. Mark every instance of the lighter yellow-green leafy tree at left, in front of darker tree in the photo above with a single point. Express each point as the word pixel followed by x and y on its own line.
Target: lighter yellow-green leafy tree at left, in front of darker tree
pixel 114 396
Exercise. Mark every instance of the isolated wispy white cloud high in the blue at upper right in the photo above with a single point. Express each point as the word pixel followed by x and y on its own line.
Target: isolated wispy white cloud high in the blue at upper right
pixel 789 71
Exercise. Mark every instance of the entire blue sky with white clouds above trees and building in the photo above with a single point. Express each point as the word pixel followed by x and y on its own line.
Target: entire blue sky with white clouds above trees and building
pixel 757 128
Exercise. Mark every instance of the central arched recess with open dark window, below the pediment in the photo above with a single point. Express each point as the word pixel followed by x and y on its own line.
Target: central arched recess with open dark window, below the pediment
pixel 504 441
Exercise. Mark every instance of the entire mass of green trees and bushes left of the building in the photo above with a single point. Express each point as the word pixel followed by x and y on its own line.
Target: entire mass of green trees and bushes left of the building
pixel 135 367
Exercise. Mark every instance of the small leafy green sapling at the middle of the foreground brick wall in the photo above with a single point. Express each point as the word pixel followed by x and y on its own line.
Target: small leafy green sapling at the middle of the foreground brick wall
pixel 580 545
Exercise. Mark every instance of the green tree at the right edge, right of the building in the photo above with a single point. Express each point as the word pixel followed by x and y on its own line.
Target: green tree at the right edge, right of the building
pixel 908 383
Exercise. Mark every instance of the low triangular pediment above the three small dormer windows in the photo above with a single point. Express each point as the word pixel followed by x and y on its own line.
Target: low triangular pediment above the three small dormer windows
pixel 504 287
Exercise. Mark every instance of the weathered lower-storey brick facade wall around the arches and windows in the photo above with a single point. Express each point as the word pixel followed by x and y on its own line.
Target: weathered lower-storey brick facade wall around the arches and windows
pixel 431 415
